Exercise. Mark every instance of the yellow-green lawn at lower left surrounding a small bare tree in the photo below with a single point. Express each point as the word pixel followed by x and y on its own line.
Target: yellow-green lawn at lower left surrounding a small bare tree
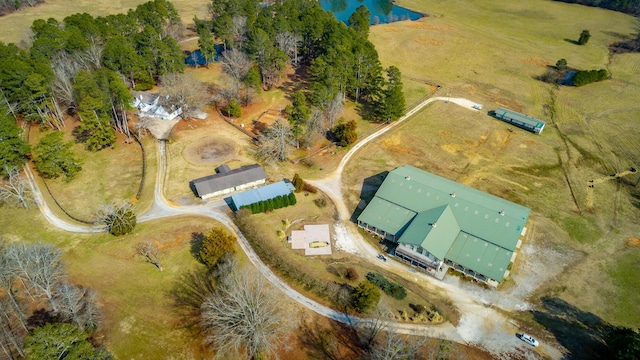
pixel 141 320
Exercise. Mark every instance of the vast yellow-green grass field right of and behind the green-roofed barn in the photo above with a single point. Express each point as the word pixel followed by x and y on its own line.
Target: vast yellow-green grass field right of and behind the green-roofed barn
pixel 493 52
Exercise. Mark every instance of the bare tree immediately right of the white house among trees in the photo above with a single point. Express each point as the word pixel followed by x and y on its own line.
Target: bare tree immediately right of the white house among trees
pixel 182 91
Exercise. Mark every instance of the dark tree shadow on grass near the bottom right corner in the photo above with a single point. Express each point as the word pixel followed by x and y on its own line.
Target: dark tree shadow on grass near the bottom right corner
pixel 580 332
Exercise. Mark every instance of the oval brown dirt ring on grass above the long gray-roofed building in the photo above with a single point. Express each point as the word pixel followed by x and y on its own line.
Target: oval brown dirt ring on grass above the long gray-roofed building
pixel 210 150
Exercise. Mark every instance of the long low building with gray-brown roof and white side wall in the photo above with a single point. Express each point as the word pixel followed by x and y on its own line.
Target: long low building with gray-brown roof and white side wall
pixel 226 181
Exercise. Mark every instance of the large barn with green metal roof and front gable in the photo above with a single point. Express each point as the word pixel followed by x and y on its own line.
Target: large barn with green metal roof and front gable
pixel 439 224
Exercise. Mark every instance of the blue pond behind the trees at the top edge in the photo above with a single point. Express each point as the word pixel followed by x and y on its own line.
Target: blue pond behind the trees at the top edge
pixel 382 11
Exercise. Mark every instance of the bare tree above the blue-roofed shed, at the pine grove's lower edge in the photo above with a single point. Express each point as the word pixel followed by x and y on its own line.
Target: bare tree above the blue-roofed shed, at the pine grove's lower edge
pixel 275 142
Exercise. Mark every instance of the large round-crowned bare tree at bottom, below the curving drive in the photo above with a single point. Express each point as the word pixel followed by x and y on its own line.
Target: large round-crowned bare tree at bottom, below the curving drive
pixel 245 317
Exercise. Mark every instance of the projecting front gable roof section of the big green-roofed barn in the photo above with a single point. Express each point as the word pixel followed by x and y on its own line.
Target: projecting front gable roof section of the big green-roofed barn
pixel 437 239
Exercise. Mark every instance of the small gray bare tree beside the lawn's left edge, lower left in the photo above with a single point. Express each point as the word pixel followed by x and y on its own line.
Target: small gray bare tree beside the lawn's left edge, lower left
pixel 77 304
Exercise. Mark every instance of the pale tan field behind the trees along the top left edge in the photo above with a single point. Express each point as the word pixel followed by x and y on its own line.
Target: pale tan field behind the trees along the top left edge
pixel 16 26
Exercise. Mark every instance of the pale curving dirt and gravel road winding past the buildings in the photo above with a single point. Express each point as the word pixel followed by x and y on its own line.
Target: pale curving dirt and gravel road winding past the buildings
pixel 481 323
